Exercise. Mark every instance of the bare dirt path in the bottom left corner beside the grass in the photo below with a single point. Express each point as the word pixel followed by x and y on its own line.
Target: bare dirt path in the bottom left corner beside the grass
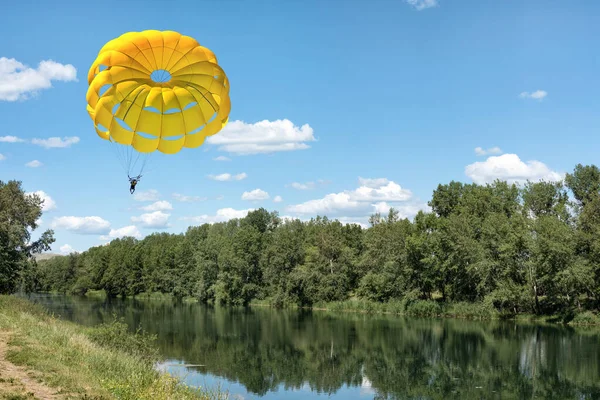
pixel 17 380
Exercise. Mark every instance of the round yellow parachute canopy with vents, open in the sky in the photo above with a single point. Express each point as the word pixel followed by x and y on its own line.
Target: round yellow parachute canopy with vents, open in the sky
pixel 156 90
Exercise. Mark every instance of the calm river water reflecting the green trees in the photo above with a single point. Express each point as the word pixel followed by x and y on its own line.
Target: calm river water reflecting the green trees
pixel 261 353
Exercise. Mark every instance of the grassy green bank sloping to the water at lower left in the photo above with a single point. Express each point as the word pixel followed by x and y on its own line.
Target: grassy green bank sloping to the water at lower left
pixel 79 362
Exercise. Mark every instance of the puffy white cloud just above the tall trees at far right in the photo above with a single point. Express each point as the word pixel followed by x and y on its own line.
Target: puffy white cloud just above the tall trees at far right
pixel 509 167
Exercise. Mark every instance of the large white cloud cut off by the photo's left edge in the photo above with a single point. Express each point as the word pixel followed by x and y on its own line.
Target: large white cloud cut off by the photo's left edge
pixel 19 82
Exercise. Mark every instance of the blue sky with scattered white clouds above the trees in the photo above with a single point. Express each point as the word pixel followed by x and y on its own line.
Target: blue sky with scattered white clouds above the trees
pixel 345 107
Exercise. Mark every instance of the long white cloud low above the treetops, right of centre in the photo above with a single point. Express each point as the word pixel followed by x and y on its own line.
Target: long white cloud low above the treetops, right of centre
pixel 371 190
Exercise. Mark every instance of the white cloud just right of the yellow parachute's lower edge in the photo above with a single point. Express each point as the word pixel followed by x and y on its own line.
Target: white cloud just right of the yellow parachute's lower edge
pixel 262 137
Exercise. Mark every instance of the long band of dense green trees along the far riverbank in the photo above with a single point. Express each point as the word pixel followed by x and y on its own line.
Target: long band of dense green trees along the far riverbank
pixel 531 248
